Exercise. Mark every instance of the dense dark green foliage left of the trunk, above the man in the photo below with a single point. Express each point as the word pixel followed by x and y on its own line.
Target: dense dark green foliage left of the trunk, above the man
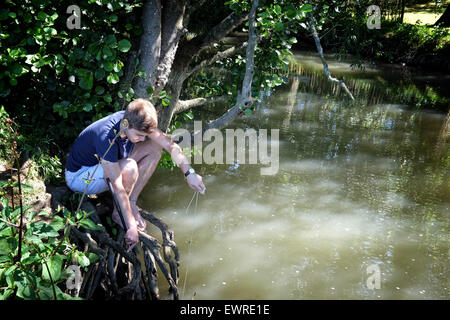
pixel 58 78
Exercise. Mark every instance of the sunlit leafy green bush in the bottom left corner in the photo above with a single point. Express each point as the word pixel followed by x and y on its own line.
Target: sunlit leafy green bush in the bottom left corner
pixel 38 271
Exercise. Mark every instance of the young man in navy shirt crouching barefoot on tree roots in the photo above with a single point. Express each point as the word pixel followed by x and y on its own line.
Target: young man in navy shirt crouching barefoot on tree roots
pixel 129 162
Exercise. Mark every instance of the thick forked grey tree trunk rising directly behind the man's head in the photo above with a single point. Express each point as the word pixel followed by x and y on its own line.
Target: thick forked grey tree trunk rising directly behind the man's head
pixel 166 57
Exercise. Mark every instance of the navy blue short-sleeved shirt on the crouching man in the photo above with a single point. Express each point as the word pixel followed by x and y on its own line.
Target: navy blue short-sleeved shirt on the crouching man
pixel 95 139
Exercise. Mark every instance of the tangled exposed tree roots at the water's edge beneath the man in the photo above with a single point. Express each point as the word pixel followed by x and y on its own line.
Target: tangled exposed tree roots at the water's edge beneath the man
pixel 123 275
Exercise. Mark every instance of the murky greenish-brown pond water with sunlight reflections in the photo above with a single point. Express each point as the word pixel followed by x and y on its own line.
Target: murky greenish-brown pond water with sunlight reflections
pixel 359 208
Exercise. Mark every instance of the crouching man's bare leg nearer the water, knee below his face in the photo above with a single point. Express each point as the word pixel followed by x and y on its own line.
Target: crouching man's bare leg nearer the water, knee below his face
pixel 147 155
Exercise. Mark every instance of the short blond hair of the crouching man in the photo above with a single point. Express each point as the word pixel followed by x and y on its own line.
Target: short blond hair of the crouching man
pixel 141 115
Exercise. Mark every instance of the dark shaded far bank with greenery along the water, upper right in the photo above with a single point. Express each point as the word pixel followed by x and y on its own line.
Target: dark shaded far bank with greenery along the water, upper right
pixel 423 46
